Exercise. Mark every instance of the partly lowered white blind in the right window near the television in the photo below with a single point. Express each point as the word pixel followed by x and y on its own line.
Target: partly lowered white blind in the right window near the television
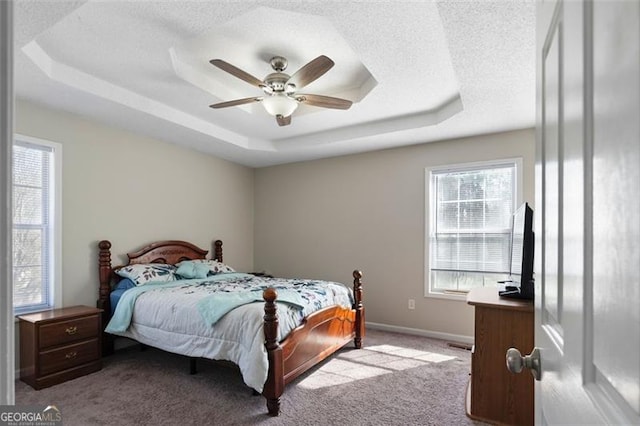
pixel 472 219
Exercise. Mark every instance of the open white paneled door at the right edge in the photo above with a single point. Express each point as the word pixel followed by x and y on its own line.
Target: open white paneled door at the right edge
pixel 588 212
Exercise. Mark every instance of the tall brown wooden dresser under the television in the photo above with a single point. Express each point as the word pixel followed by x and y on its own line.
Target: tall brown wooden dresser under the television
pixel 494 394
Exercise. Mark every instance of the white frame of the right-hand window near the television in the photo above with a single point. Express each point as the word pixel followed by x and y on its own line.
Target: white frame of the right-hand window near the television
pixel 430 213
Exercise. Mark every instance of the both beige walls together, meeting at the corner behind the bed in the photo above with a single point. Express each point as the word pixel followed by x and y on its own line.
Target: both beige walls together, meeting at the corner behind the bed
pixel 317 219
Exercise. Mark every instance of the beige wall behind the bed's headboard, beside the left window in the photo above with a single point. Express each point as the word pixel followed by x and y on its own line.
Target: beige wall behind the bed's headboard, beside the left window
pixel 134 190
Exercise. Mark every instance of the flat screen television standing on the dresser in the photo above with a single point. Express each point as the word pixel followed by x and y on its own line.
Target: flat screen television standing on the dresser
pixel 520 283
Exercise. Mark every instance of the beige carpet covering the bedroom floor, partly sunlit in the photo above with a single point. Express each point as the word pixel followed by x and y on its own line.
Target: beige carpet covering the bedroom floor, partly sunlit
pixel 396 379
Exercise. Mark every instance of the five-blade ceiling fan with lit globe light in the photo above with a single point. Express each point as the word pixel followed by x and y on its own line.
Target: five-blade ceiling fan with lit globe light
pixel 280 89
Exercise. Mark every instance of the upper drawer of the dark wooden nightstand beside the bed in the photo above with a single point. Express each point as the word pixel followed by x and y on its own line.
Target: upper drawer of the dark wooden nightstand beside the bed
pixel 72 330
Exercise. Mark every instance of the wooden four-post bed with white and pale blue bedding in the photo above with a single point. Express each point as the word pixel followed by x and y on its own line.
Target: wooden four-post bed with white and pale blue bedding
pixel 309 337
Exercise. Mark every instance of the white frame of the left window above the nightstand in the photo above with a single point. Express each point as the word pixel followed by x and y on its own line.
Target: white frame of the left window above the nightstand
pixel 55 237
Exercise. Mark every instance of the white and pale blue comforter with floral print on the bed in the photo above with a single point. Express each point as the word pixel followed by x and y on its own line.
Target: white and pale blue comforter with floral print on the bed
pixel 168 318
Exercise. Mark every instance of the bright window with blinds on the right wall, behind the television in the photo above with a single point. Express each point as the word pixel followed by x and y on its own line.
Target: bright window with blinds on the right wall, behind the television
pixel 469 209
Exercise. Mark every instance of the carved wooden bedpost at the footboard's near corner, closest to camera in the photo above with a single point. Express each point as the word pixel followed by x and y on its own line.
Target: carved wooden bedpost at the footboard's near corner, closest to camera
pixel 274 386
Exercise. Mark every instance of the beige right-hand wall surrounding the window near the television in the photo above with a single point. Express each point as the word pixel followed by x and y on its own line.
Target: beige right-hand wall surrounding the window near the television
pixel 322 219
